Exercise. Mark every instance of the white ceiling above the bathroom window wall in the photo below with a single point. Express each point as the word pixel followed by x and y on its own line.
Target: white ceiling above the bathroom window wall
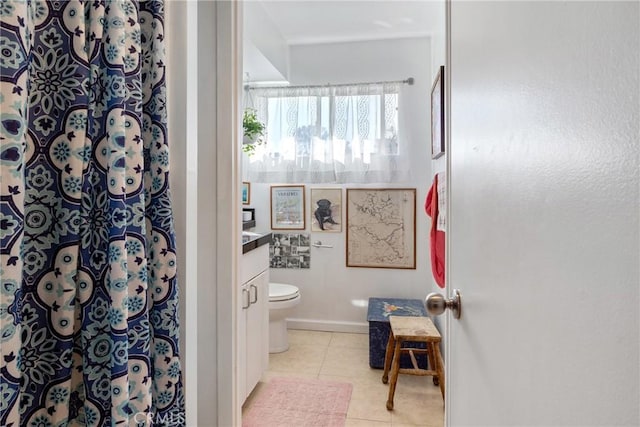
pixel 324 21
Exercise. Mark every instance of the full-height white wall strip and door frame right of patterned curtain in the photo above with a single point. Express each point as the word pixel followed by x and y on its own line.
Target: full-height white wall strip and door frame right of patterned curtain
pixel 204 171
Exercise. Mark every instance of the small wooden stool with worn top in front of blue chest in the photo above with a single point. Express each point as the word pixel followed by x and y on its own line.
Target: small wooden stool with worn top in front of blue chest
pixel 412 329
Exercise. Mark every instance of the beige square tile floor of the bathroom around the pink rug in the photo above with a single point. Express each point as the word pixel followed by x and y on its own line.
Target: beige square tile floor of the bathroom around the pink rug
pixel 337 356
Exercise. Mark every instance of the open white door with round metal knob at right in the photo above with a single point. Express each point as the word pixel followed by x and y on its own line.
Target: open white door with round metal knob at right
pixel 544 214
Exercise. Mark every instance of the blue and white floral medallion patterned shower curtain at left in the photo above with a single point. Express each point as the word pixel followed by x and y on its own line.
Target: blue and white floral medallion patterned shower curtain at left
pixel 88 297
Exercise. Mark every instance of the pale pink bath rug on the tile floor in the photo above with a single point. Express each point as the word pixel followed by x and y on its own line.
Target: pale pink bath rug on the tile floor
pixel 299 402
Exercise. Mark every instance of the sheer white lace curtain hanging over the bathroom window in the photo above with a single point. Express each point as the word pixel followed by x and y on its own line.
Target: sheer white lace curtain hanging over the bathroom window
pixel 332 134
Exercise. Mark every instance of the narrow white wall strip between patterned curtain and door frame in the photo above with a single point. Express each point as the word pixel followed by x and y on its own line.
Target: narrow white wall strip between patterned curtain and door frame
pixel 182 123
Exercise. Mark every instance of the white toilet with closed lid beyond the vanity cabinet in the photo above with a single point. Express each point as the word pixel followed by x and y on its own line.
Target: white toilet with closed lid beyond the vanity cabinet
pixel 282 298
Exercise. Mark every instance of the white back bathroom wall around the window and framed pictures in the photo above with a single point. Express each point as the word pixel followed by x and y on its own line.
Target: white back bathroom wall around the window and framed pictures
pixel 334 296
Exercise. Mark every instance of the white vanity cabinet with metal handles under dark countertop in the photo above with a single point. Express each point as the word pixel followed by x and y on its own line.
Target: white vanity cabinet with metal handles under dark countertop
pixel 253 319
